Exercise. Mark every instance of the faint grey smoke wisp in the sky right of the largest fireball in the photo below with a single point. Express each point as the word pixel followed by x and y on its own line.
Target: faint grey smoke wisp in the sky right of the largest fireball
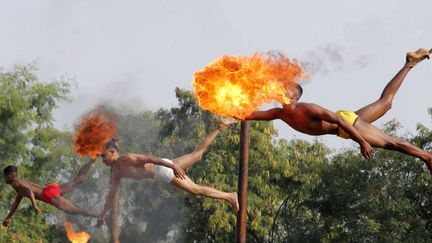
pixel 332 57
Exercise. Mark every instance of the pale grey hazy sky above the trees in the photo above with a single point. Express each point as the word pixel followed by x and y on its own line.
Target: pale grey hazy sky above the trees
pixel 136 52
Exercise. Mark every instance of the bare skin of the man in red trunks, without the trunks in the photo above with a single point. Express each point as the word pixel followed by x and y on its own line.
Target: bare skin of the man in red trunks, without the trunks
pixel 33 191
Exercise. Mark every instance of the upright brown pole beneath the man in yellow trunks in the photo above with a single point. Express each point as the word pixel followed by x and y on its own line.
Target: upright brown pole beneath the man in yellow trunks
pixel 243 182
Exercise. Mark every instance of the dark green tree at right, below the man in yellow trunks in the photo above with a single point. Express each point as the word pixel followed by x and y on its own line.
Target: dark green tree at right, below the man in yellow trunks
pixel 384 199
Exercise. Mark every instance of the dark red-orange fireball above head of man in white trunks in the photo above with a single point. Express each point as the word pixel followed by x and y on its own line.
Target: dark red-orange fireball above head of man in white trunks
pixel 93 133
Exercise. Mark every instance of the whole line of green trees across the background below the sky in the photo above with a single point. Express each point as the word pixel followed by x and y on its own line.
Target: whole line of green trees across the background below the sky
pixel 298 191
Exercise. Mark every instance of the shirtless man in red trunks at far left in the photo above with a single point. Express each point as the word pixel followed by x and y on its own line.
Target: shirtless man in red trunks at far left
pixel 50 194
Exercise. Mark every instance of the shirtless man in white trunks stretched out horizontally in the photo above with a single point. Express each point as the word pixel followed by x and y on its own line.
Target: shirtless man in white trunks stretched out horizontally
pixel 137 166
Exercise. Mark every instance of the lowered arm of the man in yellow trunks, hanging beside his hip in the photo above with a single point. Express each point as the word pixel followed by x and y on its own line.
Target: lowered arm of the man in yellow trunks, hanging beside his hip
pixel 331 117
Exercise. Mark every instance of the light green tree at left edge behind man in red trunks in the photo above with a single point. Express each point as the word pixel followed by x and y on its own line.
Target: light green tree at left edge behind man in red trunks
pixel 29 140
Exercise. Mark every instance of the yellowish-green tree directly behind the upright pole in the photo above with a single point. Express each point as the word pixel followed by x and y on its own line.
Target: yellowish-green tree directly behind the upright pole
pixel 273 165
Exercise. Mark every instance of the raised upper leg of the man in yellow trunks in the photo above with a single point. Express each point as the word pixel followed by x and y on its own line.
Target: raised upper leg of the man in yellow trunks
pixel 377 109
